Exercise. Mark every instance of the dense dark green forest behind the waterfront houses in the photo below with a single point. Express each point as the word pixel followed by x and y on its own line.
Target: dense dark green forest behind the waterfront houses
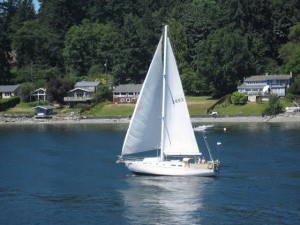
pixel 216 42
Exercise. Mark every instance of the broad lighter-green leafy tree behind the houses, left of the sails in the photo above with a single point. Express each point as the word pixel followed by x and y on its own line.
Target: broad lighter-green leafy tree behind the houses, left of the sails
pixel 87 45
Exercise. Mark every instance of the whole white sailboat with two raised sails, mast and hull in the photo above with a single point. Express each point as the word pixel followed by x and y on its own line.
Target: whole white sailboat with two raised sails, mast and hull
pixel 161 123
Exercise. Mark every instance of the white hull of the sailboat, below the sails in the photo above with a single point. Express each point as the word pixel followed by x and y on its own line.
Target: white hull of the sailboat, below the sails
pixel 171 168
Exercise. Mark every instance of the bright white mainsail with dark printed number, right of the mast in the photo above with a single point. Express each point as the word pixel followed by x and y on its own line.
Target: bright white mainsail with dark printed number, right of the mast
pixel 179 136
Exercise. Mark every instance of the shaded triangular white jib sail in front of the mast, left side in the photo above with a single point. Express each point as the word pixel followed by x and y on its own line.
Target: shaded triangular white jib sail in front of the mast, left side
pixel 144 132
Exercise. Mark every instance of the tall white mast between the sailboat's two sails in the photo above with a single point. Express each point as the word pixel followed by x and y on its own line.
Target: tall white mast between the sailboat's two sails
pixel 163 94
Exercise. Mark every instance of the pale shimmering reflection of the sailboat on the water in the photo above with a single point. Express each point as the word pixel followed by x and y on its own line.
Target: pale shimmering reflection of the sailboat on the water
pixel 164 200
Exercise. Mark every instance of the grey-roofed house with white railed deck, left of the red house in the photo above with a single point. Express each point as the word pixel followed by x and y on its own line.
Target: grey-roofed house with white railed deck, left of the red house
pixel 82 93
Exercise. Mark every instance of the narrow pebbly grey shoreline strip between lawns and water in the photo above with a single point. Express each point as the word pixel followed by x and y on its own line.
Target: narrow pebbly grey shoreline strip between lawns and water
pixel 286 118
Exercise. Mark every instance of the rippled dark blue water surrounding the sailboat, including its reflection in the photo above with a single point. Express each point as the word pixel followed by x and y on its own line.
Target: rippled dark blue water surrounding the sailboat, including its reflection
pixel 66 174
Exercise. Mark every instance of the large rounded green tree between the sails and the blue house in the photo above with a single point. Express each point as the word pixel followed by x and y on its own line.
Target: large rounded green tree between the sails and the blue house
pixel 223 58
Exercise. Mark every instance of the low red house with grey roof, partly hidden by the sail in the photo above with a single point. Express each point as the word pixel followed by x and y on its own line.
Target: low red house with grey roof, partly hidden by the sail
pixel 126 93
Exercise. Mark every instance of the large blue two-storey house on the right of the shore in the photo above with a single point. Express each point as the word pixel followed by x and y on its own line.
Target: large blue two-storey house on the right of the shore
pixel 261 86
